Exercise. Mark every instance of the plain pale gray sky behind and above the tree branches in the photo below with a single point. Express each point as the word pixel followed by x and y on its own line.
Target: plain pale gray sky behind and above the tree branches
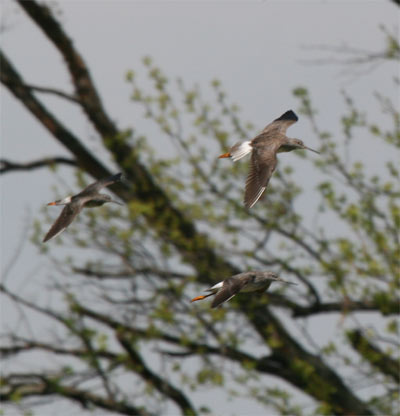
pixel 254 47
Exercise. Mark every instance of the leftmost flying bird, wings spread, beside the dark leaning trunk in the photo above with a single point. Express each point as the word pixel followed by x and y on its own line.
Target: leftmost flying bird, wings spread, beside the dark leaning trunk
pixel 89 197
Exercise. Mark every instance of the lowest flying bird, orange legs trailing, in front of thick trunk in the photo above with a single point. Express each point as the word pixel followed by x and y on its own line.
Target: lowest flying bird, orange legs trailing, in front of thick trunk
pixel 243 282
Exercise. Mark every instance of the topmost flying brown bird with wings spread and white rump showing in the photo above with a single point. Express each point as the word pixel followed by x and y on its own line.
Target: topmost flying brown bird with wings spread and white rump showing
pixel 263 149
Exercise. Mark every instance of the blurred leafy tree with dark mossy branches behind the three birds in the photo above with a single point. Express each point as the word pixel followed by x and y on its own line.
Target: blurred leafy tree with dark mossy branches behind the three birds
pixel 125 336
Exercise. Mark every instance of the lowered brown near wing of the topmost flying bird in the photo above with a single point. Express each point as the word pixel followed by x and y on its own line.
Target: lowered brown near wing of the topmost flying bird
pixel 262 165
